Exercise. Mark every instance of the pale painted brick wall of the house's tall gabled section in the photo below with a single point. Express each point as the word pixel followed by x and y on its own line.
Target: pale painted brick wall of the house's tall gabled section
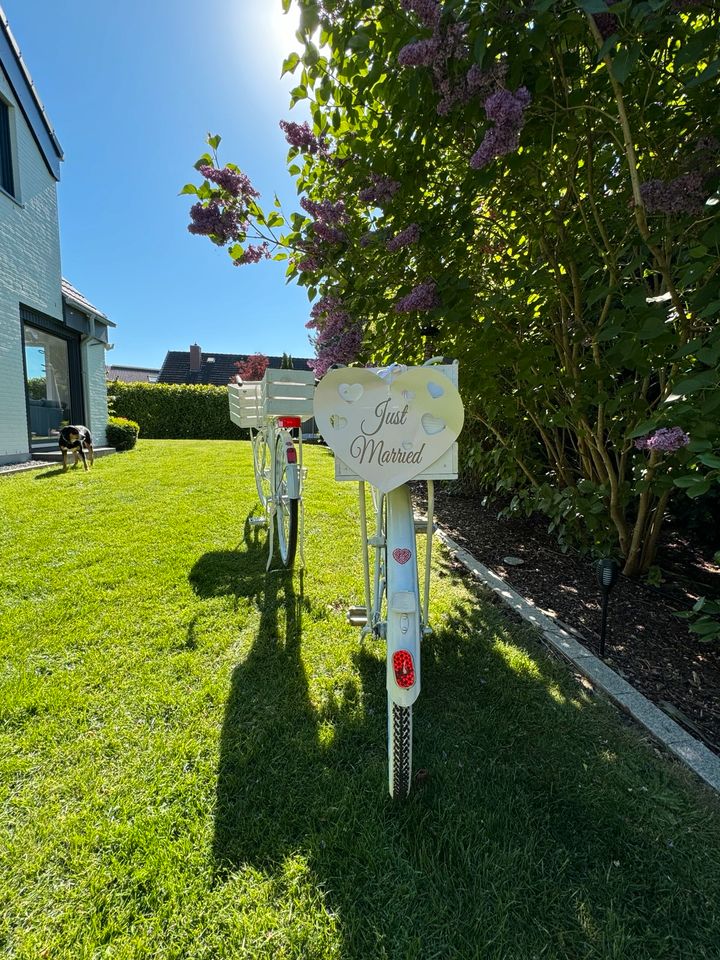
pixel 29 272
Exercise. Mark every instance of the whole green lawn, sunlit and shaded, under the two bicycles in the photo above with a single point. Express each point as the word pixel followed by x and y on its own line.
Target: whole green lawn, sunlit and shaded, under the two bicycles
pixel 192 752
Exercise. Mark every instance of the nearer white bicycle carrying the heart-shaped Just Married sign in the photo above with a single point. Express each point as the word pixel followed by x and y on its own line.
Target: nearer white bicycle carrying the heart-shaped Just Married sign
pixel 396 610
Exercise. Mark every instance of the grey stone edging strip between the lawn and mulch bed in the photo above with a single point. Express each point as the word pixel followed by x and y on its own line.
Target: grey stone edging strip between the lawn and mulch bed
pixel 692 752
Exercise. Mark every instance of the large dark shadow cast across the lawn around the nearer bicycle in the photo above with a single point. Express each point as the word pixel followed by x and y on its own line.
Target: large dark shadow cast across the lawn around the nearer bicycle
pixel 512 834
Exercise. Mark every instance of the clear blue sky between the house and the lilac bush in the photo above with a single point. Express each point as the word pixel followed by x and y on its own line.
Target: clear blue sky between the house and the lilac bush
pixel 132 89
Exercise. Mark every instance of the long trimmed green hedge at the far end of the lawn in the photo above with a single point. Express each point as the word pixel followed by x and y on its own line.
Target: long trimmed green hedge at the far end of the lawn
pixel 169 411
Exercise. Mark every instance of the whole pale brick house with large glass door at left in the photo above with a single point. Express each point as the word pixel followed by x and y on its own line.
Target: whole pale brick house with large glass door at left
pixel 52 340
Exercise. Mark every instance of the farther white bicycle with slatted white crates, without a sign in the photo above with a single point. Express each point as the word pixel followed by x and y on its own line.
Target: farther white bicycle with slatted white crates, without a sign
pixel 273 409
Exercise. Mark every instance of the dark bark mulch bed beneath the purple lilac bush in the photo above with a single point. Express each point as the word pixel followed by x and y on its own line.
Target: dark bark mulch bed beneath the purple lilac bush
pixel 646 644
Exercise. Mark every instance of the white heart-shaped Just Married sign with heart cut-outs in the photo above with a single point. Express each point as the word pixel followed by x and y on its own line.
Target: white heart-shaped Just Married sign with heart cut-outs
pixel 391 431
